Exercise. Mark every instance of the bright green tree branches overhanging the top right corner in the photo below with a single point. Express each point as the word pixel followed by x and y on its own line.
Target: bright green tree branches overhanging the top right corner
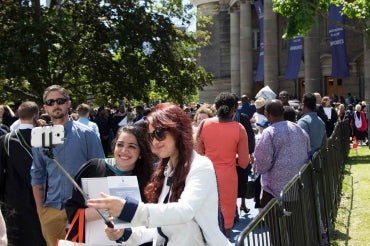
pixel 301 16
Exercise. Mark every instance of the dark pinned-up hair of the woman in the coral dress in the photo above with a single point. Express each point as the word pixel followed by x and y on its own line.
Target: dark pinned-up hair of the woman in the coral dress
pixel 225 105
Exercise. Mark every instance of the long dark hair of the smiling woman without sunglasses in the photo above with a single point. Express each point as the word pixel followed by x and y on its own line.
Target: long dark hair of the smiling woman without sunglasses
pixel 144 165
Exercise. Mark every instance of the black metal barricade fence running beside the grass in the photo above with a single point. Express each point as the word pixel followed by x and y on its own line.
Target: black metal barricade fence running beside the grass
pixel 308 204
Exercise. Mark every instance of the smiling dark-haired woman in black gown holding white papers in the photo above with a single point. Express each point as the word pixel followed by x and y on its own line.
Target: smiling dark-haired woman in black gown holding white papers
pixel 132 156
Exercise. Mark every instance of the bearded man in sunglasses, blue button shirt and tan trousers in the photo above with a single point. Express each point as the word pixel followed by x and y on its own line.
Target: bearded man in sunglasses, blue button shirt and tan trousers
pixel 51 187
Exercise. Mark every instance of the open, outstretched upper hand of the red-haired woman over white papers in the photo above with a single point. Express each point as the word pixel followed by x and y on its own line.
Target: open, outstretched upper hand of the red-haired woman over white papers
pixel 113 204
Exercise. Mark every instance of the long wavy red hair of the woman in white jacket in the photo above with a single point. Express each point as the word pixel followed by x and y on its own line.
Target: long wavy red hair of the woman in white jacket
pixel 178 124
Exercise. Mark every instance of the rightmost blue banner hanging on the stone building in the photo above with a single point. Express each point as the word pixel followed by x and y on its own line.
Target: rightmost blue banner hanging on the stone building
pixel 337 43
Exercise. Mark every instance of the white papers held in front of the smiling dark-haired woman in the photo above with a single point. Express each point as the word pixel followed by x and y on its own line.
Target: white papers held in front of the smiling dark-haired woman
pixel 121 186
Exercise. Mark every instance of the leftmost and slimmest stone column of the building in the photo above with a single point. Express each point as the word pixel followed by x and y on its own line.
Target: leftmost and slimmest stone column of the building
pixel 235 49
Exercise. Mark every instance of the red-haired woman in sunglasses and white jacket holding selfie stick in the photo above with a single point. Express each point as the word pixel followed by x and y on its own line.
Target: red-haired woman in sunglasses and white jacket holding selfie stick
pixel 182 196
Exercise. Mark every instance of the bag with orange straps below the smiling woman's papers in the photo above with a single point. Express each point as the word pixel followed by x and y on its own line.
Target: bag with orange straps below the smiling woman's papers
pixel 77 239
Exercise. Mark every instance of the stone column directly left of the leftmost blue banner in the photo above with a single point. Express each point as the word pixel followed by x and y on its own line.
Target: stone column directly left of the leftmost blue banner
pixel 246 49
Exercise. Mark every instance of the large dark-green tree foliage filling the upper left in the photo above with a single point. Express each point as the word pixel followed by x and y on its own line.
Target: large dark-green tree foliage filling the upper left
pixel 107 50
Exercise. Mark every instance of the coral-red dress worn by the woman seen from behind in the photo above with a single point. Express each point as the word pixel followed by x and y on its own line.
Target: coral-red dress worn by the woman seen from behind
pixel 222 143
